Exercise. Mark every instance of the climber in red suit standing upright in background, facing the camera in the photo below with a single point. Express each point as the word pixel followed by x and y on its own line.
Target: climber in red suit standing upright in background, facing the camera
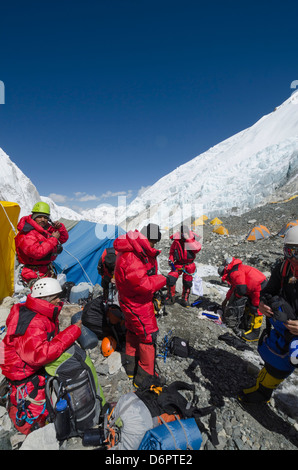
pixel 183 251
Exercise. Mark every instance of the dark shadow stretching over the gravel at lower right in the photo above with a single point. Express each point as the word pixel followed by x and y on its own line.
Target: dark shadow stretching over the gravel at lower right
pixel 222 370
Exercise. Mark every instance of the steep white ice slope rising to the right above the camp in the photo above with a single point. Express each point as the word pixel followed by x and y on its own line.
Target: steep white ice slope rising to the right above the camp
pixel 239 173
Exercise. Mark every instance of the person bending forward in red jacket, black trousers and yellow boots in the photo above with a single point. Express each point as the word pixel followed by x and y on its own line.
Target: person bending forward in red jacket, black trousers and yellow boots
pixel 240 307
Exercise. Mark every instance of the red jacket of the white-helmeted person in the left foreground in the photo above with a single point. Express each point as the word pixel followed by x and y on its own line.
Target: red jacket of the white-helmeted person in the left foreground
pixel 32 339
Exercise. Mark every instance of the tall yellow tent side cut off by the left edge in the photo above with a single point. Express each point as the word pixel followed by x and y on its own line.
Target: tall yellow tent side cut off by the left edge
pixel 9 214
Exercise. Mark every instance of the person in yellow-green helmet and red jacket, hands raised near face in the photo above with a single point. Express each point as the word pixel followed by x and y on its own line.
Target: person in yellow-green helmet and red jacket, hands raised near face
pixel 38 243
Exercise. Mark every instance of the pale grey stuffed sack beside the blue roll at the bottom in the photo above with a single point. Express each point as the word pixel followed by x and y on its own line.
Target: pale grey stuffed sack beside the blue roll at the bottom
pixel 127 423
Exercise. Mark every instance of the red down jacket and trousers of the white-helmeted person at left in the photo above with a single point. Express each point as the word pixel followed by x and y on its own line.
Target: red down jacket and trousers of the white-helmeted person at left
pixel 32 340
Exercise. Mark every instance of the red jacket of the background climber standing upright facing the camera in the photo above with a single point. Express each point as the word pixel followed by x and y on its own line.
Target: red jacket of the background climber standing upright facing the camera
pixel 184 251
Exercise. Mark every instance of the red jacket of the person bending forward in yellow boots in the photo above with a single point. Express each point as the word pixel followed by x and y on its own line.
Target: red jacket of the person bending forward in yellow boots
pixel 244 280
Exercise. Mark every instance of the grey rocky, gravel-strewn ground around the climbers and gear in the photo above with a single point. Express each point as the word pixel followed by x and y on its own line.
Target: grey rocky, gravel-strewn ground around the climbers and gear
pixel 217 369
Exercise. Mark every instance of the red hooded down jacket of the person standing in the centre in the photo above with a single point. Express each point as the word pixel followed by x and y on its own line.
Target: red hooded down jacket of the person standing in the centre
pixel 137 280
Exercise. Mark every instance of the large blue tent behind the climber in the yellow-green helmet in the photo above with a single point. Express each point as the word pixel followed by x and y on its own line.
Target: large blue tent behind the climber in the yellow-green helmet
pixel 81 252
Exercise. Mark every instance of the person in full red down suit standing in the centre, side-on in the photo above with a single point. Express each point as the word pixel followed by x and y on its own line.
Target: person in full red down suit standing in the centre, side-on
pixel 137 280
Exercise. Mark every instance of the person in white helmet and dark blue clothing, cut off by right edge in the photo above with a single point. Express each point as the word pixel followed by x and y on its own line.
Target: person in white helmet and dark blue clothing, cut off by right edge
pixel 278 345
